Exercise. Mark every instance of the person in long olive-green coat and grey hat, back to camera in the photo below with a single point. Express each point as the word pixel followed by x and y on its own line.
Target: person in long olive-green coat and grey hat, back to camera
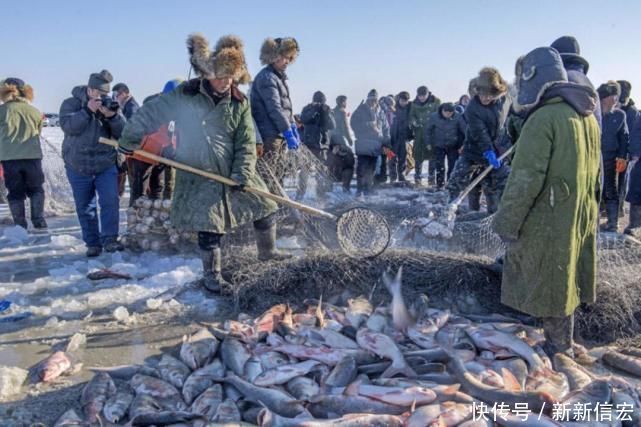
pixel 549 212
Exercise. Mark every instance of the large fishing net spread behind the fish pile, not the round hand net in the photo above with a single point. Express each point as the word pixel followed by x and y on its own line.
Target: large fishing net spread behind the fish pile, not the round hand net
pixel 453 266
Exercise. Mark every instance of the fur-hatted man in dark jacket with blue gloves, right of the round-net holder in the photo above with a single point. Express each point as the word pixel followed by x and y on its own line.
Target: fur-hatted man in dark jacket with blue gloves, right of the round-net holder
pixel 270 100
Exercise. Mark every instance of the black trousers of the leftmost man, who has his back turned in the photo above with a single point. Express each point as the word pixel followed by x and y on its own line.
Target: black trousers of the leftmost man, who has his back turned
pixel 23 178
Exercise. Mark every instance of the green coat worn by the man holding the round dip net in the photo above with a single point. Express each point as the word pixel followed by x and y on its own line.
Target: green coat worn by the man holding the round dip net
pixel 215 137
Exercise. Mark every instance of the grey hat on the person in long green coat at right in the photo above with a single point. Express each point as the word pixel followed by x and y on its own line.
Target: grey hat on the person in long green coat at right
pixel 536 72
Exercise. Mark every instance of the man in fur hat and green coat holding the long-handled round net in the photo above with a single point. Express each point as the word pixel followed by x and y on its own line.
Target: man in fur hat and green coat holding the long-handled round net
pixel 215 133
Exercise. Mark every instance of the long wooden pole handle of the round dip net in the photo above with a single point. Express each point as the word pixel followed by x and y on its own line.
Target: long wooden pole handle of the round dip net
pixel 224 180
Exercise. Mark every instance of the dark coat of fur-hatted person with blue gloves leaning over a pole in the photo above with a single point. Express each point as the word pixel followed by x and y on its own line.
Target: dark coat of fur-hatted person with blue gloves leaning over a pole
pixel 484 126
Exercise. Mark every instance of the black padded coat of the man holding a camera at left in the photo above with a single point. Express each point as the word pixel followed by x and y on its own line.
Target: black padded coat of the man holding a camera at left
pixel 81 150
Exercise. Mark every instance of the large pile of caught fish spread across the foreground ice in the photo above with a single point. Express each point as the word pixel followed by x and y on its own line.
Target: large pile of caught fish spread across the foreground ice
pixel 355 365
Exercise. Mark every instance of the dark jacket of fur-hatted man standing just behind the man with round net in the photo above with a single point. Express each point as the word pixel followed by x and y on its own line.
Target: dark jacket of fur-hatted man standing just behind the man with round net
pixel 270 103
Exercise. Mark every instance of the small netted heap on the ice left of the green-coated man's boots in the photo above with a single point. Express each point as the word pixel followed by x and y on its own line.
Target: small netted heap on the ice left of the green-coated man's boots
pixel 149 226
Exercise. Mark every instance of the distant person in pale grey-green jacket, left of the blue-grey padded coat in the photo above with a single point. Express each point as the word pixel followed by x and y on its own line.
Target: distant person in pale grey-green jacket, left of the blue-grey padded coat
pixel 340 158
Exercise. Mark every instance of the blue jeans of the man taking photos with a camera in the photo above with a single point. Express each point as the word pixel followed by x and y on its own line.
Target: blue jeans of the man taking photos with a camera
pixel 85 189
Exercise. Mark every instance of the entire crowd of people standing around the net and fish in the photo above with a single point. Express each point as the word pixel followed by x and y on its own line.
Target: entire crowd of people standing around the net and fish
pixel 573 144
